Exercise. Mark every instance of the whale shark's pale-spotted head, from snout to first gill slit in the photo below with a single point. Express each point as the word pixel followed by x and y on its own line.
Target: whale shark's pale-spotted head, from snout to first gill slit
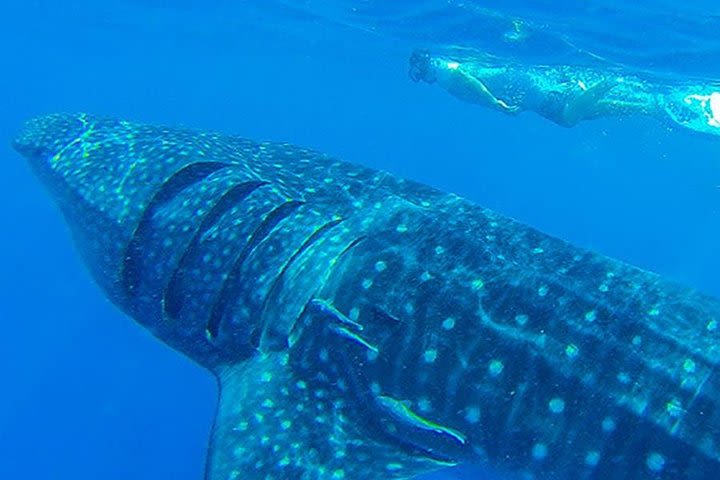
pixel 105 175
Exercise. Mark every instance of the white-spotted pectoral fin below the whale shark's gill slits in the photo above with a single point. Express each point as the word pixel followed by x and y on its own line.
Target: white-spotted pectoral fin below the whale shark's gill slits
pixel 271 424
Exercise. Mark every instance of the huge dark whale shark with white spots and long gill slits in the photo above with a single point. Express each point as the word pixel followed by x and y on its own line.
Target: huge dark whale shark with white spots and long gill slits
pixel 364 326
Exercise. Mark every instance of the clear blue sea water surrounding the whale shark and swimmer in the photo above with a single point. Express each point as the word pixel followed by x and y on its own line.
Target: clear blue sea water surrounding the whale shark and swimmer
pixel 87 394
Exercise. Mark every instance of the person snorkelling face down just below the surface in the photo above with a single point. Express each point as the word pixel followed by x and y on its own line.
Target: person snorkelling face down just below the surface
pixel 567 95
